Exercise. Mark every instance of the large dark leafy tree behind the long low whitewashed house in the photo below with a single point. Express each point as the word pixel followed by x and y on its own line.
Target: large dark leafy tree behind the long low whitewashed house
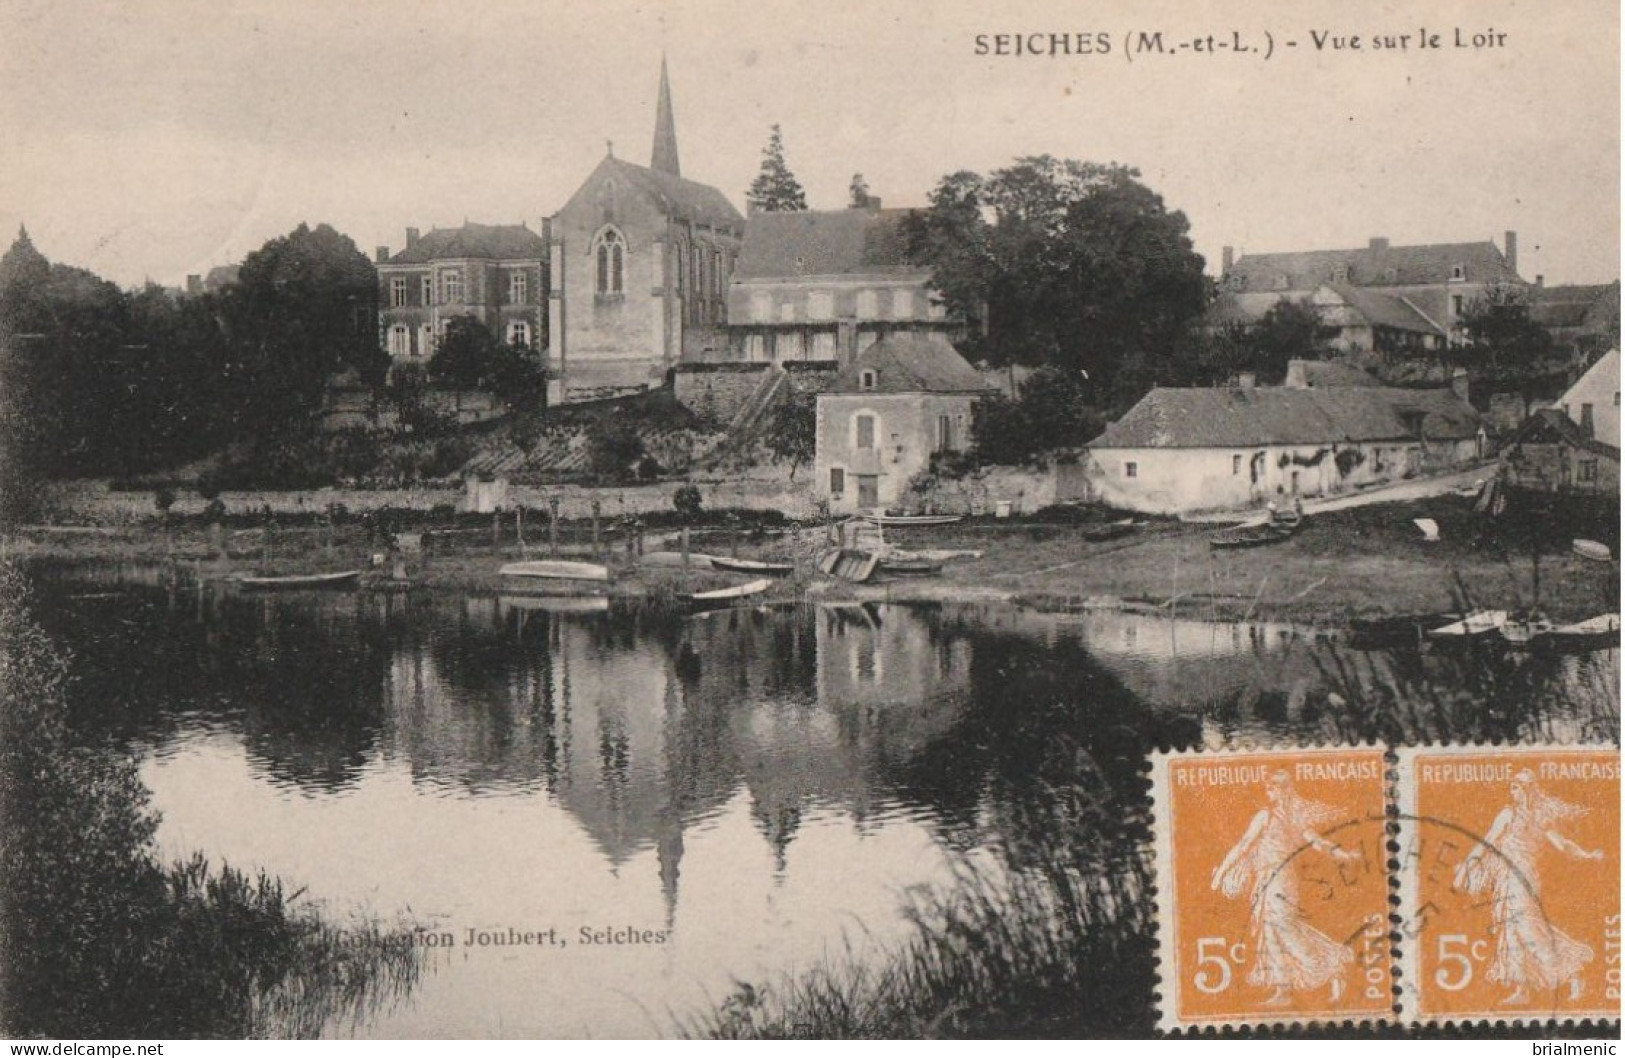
pixel 1081 266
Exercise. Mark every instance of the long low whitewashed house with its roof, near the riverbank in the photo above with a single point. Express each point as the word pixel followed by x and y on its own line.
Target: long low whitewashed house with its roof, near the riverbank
pixel 1223 449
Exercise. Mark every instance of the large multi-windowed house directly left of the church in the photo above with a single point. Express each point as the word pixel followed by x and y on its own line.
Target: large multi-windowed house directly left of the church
pixel 496 274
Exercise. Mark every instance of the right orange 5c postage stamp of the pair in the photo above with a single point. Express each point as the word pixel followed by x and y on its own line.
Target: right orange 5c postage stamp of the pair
pixel 1510 883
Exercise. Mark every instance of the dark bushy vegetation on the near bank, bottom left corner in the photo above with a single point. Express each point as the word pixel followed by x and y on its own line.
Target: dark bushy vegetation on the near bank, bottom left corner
pixel 102 940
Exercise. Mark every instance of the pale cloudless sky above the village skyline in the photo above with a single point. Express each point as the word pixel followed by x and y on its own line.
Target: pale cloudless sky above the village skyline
pixel 162 139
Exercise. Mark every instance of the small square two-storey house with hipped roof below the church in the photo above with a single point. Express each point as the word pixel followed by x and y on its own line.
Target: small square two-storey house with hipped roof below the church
pixel 888 414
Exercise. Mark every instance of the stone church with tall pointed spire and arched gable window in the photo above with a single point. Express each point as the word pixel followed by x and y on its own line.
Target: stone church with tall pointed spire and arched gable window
pixel 641 262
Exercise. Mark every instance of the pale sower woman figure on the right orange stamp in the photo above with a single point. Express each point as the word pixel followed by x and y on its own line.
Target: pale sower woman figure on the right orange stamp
pixel 1530 952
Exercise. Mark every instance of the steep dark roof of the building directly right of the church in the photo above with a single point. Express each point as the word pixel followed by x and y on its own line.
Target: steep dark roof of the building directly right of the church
pixel 826 243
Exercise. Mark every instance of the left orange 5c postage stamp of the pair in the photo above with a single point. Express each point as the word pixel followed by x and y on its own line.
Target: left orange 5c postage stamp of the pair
pixel 1273 888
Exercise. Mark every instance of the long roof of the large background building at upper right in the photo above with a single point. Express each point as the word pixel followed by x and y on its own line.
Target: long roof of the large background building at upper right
pixel 1390 266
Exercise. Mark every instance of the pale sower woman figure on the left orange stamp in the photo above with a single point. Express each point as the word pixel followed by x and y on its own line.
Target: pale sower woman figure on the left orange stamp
pixel 1291 955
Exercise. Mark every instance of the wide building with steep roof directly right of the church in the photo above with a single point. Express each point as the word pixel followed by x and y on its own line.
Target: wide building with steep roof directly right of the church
pixel 825 285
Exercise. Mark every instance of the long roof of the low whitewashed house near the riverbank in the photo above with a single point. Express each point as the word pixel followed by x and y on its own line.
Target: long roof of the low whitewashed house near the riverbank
pixel 1249 418
